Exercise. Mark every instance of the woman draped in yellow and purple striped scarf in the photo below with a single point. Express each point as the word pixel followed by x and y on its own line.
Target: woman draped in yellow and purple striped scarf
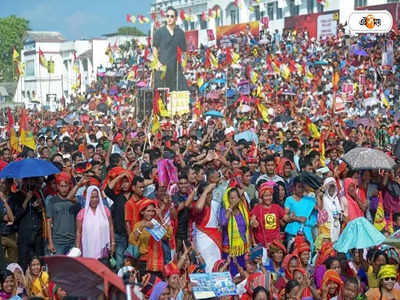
pixel 234 222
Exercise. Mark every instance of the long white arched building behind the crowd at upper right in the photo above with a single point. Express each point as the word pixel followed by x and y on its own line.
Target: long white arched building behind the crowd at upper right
pixel 255 10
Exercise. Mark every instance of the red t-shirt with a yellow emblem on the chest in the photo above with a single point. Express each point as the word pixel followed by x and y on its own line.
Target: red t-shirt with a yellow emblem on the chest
pixel 268 220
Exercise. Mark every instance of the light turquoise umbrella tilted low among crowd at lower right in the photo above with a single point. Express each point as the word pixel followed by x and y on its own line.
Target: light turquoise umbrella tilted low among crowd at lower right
pixel 358 234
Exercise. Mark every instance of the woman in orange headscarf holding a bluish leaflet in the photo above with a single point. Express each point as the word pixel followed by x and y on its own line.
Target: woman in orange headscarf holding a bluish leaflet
pixel 151 253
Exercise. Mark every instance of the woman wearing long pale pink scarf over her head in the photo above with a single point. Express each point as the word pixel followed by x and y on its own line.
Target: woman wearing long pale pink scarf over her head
pixel 94 227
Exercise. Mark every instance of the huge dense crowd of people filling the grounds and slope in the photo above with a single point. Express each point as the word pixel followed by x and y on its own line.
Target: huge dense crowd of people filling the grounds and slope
pixel 206 194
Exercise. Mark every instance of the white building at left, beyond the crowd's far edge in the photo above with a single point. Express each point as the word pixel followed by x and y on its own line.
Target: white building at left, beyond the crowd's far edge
pixel 39 87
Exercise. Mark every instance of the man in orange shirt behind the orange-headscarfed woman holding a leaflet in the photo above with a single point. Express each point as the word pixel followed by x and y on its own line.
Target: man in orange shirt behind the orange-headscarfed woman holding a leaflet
pixel 131 206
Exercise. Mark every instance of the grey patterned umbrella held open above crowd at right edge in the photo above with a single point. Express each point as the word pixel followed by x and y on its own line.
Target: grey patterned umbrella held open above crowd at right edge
pixel 361 158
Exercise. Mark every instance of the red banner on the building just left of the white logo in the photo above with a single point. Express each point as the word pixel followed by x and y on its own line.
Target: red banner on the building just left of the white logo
pixel 308 22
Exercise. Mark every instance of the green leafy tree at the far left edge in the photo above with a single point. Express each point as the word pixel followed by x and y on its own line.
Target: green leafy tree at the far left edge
pixel 12 31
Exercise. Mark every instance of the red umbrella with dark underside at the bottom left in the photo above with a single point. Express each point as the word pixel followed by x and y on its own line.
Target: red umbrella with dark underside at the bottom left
pixel 84 277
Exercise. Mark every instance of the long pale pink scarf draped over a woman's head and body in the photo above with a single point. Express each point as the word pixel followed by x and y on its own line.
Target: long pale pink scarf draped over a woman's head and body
pixel 95 227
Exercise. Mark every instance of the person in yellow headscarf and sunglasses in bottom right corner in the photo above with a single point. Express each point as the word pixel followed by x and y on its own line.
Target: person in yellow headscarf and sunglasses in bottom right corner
pixel 387 277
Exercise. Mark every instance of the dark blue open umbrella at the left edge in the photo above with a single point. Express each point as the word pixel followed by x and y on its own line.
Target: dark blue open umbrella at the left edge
pixel 30 167
